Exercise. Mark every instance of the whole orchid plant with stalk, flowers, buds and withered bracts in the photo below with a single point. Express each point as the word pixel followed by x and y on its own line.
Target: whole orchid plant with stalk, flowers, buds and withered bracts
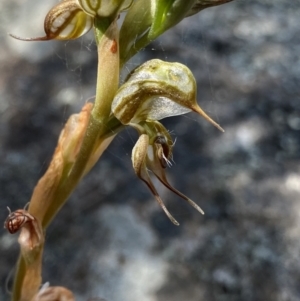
pixel 153 91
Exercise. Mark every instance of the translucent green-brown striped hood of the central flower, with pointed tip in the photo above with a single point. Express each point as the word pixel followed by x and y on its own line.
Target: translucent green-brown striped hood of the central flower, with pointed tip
pixel 157 90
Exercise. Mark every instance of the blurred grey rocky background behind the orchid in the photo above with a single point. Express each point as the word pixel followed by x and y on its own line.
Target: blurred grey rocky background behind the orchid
pixel 111 240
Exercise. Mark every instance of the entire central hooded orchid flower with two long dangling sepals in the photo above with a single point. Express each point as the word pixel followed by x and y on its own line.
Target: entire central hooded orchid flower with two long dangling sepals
pixel 154 91
